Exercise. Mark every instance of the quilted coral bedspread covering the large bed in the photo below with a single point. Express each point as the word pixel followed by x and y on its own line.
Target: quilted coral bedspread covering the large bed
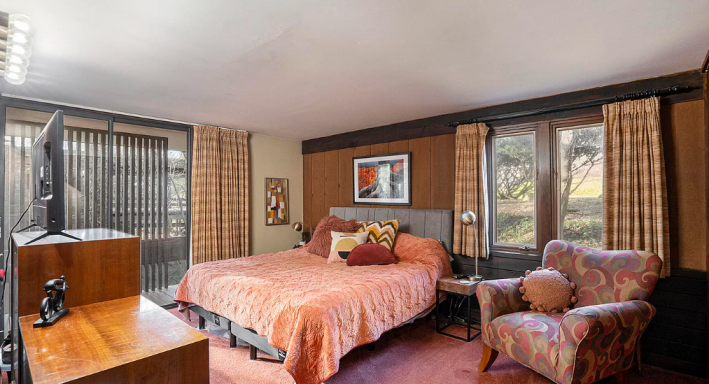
pixel 316 311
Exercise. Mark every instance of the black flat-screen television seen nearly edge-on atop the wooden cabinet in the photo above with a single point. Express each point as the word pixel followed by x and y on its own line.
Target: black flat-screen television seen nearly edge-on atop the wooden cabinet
pixel 48 176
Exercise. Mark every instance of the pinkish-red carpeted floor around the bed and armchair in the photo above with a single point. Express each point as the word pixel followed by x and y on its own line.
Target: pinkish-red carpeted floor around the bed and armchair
pixel 411 354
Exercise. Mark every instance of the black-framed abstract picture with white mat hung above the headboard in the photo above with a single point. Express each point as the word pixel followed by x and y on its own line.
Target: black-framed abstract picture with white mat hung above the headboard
pixel 382 179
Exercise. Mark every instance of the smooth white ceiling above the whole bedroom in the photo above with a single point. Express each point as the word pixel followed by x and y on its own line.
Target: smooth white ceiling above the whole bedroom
pixel 311 68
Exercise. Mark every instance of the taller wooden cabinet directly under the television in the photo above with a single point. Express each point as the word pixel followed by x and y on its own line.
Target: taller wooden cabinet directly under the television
pixel 105 265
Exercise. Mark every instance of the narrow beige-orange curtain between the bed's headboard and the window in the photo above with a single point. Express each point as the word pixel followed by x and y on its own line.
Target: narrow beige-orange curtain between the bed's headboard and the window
pixel 469 188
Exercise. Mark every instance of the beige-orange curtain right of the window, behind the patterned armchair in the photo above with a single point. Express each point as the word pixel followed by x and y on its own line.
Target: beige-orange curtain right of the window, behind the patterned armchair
pixel 634 186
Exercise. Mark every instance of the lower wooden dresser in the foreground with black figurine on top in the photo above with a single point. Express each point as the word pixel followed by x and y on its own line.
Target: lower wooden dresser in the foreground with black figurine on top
pixel 128 340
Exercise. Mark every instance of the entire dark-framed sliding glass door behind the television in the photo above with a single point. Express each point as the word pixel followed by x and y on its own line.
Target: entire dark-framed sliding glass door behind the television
pixel 124 173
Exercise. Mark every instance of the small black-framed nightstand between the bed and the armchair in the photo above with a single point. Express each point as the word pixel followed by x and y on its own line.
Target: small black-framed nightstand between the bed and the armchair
pixel 466 293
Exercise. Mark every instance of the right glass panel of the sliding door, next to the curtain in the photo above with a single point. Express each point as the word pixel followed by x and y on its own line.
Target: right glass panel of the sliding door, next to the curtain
pixel 150 198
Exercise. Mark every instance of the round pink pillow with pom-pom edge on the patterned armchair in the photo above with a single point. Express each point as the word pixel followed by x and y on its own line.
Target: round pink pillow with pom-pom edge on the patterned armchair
pixel 547 290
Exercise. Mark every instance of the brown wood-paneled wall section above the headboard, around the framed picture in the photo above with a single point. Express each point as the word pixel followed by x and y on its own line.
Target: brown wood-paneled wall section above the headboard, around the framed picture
pixel 328 176
